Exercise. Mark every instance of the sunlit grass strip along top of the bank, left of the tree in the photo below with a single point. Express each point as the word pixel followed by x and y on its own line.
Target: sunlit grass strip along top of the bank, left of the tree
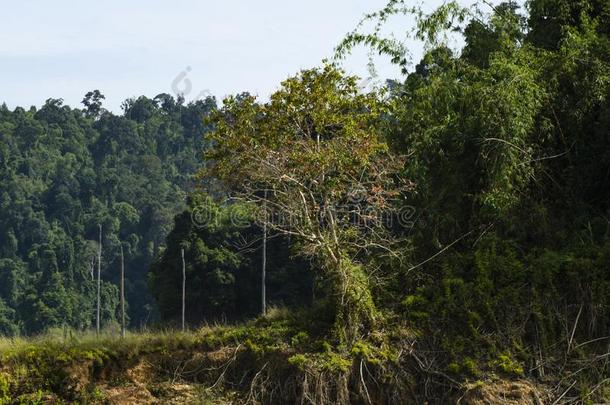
pixel 43 363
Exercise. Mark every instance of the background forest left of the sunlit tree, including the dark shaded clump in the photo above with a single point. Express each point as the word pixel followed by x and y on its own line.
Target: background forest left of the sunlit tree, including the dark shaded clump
pixel 66 171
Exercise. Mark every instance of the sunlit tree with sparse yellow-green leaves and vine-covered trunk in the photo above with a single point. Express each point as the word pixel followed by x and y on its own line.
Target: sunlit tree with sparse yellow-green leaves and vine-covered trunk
pixel 315 164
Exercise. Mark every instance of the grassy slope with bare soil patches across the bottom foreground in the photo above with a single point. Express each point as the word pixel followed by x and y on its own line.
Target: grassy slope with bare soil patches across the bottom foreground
pixel 270 360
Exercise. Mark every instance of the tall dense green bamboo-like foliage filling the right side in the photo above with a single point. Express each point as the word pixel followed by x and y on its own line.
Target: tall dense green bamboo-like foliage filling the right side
pixel 507 144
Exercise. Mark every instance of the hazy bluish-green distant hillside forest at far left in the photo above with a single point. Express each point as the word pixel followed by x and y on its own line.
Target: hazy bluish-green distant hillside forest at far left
pixel 66 171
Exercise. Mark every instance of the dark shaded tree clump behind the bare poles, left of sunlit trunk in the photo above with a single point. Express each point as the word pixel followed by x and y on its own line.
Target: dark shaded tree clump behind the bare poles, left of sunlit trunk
pixel 222 252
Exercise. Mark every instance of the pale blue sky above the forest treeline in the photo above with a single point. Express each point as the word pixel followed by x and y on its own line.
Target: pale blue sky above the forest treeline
pixel 63 49
